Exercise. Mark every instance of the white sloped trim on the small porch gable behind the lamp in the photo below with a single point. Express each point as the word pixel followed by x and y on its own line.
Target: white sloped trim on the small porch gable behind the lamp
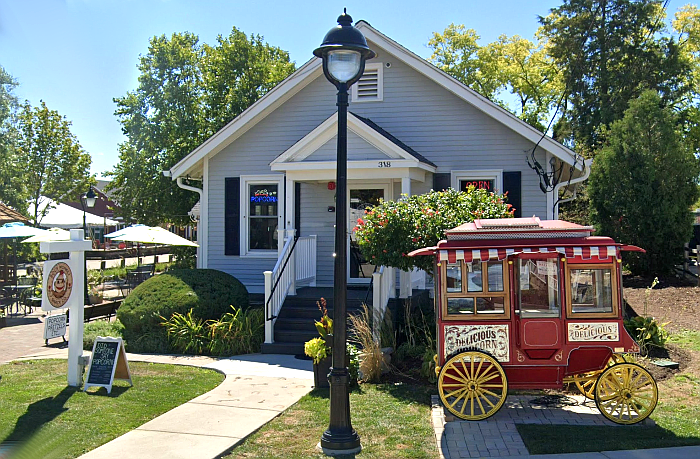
pixel 327 130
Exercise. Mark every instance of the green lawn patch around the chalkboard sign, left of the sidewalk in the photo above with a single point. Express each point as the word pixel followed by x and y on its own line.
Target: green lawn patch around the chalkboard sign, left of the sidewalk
pixel 51 420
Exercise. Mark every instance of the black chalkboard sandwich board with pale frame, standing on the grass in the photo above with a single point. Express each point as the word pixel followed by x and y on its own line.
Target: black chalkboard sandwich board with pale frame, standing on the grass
pixel 108 363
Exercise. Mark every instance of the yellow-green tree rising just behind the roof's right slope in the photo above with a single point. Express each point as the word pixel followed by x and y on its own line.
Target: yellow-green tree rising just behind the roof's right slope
pixel 512 65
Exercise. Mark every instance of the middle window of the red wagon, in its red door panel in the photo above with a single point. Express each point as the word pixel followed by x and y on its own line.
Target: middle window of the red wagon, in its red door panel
pixel 539 288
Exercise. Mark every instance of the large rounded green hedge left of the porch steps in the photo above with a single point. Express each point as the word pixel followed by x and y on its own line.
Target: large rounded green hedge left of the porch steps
pixel 208 292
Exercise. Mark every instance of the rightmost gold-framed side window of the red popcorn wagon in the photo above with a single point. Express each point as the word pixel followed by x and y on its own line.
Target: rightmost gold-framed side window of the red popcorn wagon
pixel 591 290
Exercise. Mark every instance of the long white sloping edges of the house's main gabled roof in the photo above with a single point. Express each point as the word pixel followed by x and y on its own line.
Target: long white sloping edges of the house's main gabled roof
pixel 313 69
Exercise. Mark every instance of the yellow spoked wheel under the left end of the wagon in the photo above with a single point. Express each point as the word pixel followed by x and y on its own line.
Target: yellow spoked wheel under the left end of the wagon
pixel 472 385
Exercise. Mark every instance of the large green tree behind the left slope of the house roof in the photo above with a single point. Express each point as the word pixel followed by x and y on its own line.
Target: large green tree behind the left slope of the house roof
pixel 187 92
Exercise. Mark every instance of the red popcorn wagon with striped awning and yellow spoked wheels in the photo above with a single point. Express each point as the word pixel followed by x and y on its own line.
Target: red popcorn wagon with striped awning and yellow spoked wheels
pixel 524 303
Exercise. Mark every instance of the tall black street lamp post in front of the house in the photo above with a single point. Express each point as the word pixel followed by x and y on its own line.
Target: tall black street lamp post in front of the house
pixel 344 51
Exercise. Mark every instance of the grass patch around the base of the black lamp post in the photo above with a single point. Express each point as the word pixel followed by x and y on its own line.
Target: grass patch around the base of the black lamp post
pixel 393 421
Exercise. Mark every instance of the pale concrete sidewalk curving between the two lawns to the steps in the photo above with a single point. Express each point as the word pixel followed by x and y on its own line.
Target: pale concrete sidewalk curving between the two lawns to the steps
pixel 257 388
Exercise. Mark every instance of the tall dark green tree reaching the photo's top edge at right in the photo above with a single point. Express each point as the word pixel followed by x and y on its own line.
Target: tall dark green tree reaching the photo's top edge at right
pixel 609 52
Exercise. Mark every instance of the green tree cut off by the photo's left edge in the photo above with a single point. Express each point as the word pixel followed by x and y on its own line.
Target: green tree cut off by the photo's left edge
pixel 12 187
